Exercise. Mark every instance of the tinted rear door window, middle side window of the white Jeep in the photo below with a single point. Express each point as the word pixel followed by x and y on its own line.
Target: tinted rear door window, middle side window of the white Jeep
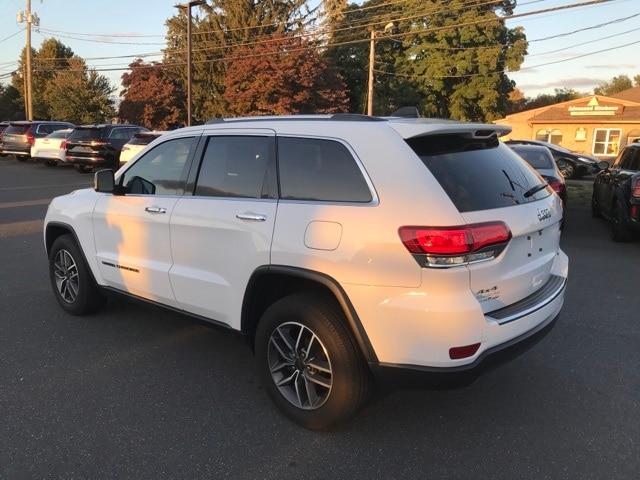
pixel 234 166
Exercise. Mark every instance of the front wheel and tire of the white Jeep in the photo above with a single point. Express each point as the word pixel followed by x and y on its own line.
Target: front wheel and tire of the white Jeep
pixel 72 282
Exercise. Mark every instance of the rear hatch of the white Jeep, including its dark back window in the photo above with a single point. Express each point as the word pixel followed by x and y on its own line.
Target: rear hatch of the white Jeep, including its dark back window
pixel 491 186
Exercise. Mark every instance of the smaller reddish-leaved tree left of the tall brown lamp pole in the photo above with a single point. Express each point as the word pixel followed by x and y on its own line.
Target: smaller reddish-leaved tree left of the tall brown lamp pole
pixel 150 97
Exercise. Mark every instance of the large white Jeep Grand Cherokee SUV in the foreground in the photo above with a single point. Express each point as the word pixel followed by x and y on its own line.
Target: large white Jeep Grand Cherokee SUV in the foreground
pixel 331 261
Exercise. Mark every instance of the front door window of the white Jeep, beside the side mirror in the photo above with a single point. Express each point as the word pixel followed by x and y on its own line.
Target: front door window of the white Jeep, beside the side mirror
pixel 161 171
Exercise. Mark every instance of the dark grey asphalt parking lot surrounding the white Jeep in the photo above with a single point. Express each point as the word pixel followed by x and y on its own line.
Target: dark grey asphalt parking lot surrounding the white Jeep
pixel 135 392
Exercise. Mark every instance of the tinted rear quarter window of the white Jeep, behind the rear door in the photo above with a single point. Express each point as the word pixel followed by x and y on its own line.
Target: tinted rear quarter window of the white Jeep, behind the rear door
pixel 322 170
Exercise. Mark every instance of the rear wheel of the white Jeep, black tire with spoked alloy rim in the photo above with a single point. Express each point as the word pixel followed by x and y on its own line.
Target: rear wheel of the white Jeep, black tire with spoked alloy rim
pixel 309 363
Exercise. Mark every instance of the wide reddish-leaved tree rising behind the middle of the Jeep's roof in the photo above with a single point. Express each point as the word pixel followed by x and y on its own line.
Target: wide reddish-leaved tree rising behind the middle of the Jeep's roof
pixel 281 75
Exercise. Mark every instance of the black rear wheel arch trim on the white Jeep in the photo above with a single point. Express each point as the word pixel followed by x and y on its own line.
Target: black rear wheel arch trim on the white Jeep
pixel 271 283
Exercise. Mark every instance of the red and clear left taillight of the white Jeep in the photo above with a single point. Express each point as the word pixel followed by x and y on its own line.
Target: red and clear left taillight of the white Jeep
pixel 452 246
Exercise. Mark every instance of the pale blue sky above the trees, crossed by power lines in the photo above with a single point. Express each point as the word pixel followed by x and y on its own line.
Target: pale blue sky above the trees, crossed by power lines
pixel 578 47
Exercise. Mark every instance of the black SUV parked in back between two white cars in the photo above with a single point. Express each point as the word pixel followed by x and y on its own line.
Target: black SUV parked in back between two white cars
pixel 98 145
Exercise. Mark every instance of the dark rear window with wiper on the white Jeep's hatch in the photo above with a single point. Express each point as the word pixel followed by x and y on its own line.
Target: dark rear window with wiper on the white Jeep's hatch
pixel 478 174
